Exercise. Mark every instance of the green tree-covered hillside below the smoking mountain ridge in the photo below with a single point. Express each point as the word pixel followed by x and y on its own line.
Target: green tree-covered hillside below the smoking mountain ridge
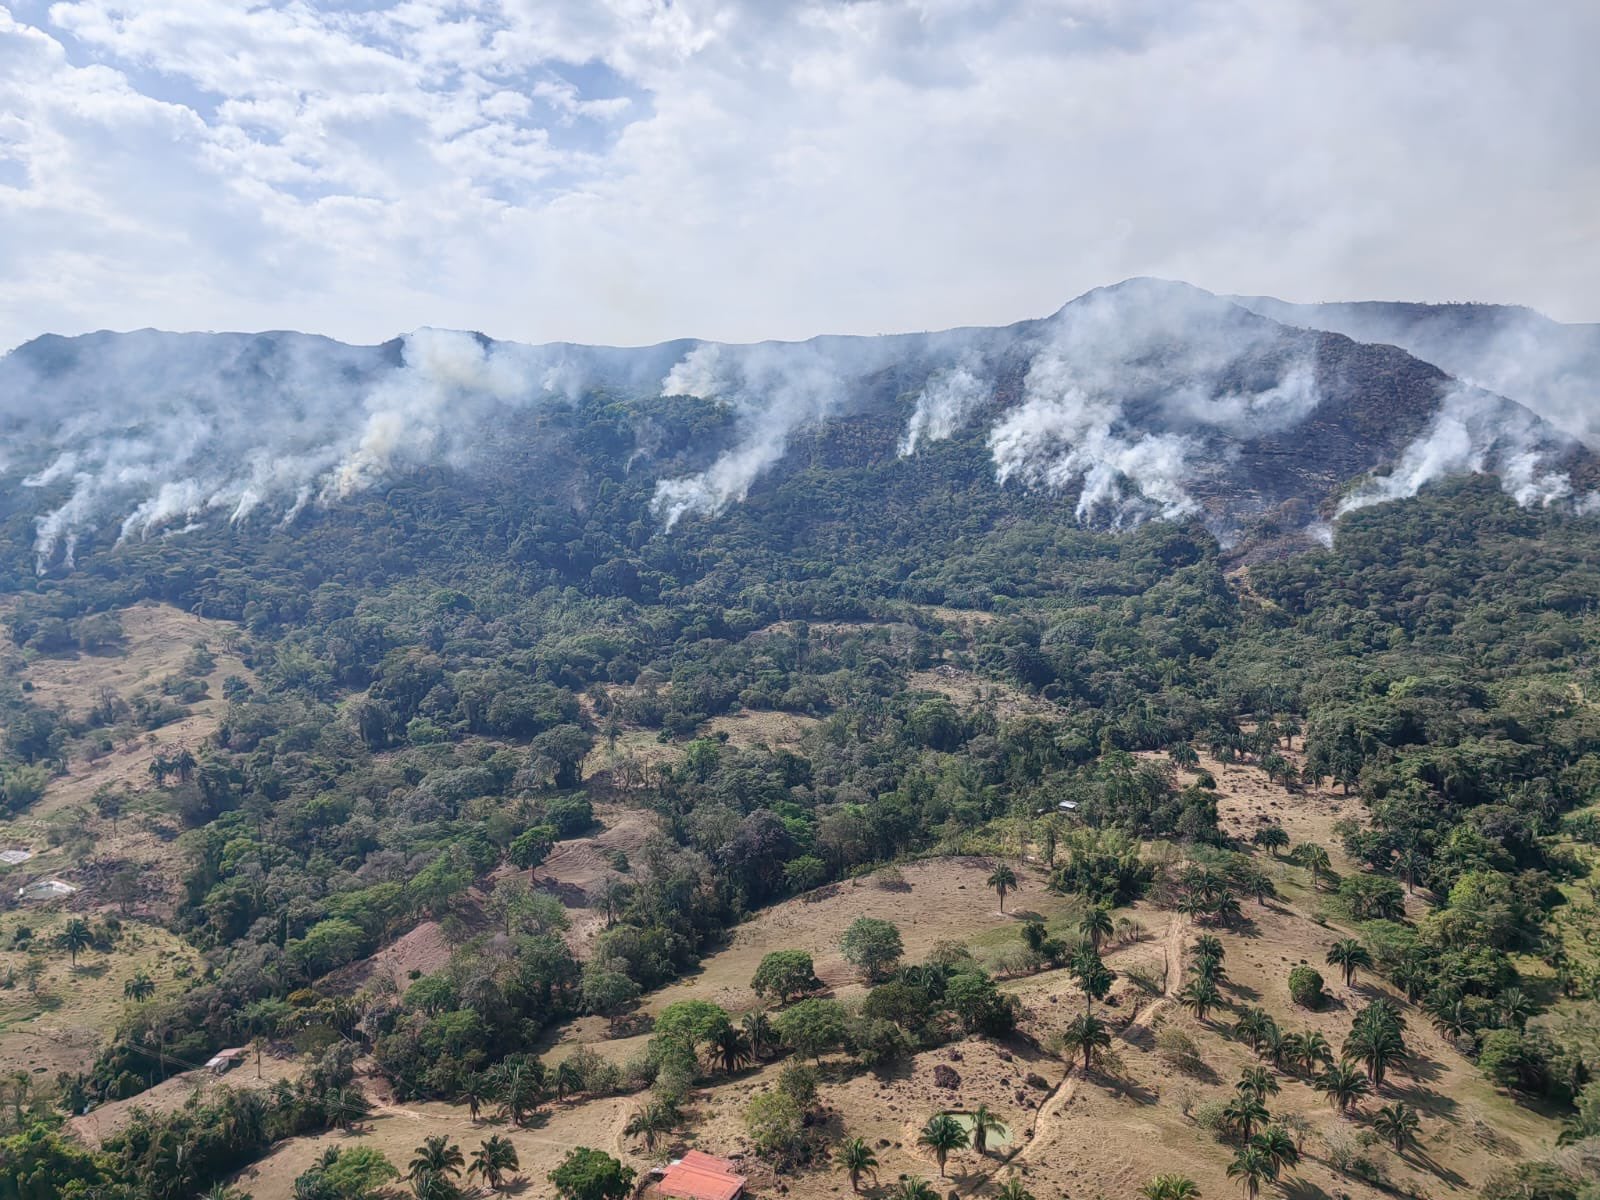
pixel 439 687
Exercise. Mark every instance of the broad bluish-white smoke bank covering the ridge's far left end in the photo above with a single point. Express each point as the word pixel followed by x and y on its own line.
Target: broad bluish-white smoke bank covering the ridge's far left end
pixel 153 441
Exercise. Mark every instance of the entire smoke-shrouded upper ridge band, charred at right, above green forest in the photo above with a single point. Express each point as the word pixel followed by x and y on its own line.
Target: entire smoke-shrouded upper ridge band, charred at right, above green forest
pixel 1145 401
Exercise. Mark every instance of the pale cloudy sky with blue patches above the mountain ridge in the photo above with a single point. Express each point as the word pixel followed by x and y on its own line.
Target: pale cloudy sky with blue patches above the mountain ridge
pixel 634 170
